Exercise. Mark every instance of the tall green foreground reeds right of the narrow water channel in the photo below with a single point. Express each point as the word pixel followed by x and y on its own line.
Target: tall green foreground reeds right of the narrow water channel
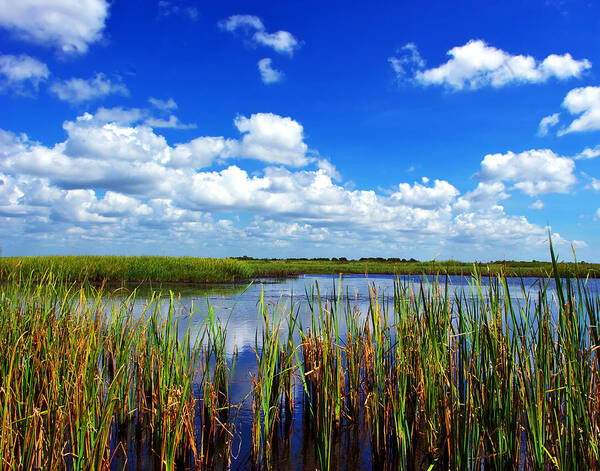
pixel 458 380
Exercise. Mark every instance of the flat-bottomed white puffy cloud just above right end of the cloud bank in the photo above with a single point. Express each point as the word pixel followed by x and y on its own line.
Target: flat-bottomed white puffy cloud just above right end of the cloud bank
pixel 534 172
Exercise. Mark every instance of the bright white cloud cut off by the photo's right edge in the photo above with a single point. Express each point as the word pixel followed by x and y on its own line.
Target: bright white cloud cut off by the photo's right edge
pixel 584 101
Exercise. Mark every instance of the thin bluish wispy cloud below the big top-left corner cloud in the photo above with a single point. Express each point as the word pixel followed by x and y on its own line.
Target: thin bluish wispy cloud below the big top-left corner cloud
pixel 77 90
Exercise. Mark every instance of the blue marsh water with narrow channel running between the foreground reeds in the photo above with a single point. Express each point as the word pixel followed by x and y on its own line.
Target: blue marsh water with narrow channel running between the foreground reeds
pixel 237 306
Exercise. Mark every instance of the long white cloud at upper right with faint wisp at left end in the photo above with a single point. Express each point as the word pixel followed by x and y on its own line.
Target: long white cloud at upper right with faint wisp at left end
pixel 476 65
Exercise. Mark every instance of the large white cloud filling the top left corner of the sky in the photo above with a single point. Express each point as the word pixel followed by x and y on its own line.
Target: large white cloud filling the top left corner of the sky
pixel 70 25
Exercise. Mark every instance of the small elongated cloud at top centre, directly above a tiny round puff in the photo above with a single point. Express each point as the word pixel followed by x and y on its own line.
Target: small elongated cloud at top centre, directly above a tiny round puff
pixel 280 41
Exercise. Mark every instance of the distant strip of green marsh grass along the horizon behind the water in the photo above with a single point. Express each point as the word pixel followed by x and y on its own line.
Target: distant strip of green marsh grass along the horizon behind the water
pixel 210 270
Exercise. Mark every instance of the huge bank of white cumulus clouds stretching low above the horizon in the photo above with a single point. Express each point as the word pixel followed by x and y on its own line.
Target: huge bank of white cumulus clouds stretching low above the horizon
pixel 123 181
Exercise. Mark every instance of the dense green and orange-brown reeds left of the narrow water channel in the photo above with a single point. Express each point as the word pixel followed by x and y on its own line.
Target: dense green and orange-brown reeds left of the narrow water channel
pixel 83 384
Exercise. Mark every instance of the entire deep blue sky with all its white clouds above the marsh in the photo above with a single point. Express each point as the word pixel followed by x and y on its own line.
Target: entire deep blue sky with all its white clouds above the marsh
pixel 442 129
